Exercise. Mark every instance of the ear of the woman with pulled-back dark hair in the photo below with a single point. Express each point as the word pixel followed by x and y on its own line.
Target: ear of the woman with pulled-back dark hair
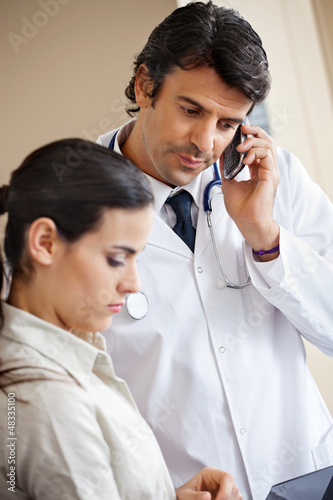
pixel 43 240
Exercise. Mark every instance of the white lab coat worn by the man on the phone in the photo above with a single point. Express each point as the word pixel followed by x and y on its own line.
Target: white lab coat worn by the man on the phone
pixel 220 374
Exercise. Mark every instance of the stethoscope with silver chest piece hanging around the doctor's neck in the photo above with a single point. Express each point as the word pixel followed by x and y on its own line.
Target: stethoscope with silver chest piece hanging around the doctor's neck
pixel 137 303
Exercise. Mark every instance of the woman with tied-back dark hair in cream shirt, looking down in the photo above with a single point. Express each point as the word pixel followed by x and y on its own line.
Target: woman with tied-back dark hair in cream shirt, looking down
pixel 78 215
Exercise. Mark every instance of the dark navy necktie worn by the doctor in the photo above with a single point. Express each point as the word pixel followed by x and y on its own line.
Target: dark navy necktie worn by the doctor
pixel 181 205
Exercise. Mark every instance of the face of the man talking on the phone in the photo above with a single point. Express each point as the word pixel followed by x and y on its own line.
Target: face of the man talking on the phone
pixel 188 125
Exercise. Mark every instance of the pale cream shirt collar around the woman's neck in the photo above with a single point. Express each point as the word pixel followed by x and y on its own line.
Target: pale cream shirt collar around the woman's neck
pixel 77 352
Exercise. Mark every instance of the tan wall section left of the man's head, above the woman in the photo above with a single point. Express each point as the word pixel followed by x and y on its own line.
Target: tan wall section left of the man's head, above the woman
pixel 66 77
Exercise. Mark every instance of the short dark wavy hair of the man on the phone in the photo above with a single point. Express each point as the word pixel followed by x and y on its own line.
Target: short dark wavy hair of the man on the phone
pixel 200 35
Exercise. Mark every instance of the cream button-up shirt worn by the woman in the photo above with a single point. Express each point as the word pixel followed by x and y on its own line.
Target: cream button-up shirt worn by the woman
pixel 78 433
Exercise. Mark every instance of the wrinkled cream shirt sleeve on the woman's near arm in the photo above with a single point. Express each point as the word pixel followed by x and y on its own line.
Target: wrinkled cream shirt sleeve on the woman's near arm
pixel 59 458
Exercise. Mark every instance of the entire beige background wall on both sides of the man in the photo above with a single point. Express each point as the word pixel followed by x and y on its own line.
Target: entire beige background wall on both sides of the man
pixel 66 77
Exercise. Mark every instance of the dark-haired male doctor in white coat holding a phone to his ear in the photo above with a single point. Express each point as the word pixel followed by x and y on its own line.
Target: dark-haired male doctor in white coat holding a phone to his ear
pixel 220 373
